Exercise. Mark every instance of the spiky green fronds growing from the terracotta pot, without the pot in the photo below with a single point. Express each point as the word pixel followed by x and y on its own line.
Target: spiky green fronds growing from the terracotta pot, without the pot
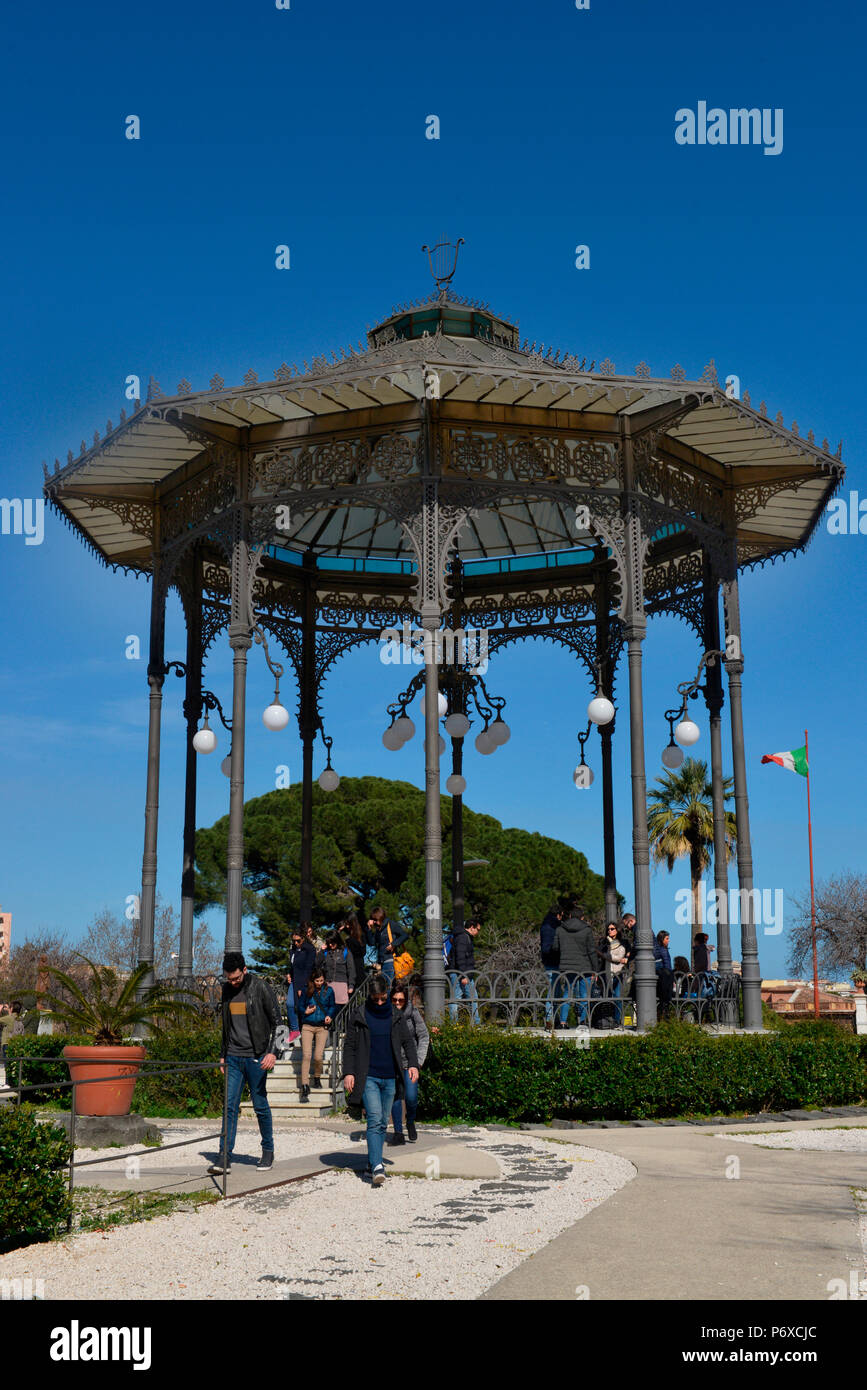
pixel 106 1008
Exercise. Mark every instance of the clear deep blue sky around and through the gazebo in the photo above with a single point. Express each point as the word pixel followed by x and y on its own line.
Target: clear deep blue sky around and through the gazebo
pixel 308 127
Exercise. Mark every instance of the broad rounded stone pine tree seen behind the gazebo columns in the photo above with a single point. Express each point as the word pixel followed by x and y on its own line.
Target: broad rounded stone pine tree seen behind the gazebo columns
pixel 369 851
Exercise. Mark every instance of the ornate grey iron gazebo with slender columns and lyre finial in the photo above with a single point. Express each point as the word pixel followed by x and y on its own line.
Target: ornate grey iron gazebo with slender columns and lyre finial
pixel 333 502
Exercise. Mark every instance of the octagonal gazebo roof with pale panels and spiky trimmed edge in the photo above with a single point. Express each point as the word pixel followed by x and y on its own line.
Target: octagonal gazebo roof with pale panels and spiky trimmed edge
pixel 484 382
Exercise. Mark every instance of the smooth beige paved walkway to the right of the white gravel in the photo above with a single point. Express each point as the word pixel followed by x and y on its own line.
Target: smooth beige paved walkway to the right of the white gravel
pixel 683 1229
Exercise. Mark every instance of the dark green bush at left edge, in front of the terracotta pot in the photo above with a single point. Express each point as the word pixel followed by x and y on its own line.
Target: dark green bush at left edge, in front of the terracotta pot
pixel 34 1185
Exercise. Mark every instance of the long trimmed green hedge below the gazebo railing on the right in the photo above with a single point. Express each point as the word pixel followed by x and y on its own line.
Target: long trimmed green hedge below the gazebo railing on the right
pixel 677 1070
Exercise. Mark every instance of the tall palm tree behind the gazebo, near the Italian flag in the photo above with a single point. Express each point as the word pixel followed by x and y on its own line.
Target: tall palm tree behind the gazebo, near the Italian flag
pixel 680 822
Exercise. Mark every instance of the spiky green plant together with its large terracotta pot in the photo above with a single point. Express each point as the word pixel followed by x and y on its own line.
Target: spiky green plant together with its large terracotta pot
pixel 106 1010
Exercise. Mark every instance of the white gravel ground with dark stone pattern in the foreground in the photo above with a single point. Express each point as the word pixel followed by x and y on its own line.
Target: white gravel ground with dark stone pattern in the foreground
pixel 336 1238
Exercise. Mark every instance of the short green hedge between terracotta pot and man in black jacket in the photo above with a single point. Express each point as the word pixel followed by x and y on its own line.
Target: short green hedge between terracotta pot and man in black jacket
pixel 184 1093
